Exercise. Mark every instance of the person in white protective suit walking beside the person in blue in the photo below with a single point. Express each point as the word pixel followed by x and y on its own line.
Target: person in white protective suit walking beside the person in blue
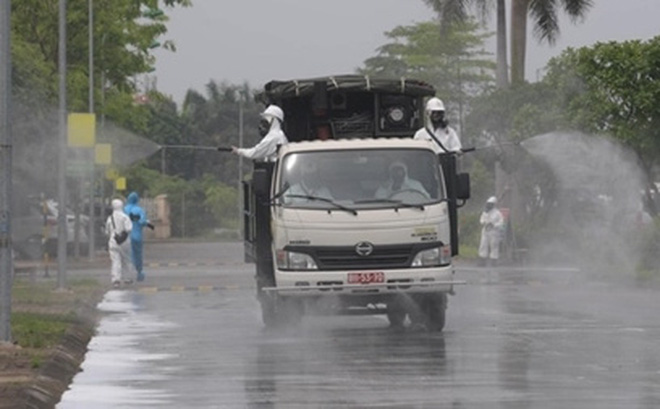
pixel 118 227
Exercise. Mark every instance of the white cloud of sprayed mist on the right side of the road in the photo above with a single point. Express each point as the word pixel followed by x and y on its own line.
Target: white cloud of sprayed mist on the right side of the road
pixel 592 214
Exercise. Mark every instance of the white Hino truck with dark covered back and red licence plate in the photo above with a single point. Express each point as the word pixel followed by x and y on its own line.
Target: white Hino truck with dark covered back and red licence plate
pixel 362 222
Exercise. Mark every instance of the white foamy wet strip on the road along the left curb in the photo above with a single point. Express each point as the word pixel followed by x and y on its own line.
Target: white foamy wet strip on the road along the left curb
pixel 117 368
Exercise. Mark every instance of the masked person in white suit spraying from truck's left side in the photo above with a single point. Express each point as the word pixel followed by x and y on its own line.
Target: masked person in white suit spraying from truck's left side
pixel 270 127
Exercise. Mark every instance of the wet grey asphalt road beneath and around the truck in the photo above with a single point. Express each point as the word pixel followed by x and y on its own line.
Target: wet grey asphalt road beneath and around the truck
pixel 191 337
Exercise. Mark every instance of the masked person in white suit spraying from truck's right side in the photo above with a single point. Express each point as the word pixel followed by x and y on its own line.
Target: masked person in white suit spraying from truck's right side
pixel 437 129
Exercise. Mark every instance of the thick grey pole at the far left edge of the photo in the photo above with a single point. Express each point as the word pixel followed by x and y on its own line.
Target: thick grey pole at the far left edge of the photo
pixel 6 265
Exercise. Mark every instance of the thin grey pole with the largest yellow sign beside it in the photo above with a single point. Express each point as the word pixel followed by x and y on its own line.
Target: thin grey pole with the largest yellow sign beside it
pixel 61 168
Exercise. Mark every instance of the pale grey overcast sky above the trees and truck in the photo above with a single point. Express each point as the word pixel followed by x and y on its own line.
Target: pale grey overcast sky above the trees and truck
pixel 260 40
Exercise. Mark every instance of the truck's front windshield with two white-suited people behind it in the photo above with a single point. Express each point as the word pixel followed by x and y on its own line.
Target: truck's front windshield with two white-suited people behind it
pixel 360 179
